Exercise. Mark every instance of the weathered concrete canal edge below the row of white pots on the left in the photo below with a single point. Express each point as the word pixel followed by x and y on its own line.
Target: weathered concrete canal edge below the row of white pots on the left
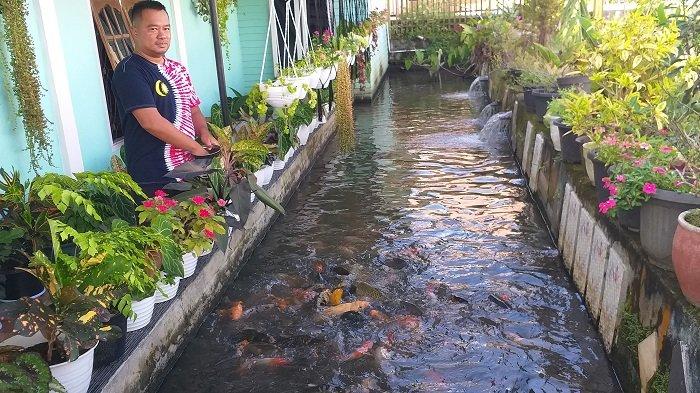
pixel 149 351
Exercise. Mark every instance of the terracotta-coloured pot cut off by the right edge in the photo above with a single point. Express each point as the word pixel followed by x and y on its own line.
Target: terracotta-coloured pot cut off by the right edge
pixel 686 258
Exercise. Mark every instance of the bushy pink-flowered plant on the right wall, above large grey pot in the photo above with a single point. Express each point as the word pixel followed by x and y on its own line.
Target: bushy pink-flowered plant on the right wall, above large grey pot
pixel 638 176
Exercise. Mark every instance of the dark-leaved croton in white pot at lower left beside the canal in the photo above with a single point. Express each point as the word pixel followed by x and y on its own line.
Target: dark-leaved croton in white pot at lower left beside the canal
pixel 71 322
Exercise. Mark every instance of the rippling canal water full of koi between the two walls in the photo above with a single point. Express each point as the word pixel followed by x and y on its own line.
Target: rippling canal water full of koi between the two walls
pixel 451 282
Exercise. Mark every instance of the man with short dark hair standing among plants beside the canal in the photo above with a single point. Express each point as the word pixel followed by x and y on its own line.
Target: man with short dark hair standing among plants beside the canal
pixel 158 107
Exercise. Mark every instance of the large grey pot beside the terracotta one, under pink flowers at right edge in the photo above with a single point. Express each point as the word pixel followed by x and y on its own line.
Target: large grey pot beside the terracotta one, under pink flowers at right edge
pixel 659 219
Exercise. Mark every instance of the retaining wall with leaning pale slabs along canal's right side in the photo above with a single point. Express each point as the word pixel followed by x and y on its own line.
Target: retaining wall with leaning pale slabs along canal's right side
pixel 651 333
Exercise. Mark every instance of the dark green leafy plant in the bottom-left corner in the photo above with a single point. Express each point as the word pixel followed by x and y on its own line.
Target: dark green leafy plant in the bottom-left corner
pixel 25 372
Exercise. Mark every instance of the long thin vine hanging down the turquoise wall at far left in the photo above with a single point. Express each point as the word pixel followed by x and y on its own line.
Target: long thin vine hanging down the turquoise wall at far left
pixel 25 80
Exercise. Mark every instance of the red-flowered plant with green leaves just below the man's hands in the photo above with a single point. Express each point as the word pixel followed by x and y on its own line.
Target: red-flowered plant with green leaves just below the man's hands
pixel 194 222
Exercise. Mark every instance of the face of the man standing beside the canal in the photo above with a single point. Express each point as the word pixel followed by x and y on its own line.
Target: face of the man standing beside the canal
pixel 152 32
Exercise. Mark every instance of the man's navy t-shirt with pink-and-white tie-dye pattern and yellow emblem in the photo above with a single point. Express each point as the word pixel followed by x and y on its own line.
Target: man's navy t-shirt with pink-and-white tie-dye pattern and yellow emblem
pixel 138 83
